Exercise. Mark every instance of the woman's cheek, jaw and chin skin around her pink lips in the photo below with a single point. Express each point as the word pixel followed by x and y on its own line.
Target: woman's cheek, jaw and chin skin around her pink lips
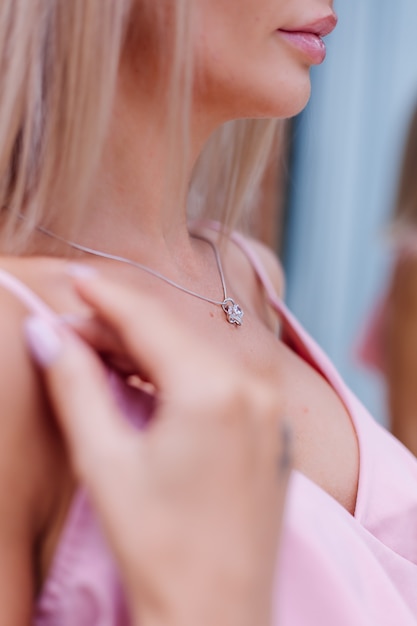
pixel 272 81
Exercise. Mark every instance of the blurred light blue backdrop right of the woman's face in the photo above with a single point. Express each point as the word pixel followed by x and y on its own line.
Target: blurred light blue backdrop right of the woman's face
pixel 346 156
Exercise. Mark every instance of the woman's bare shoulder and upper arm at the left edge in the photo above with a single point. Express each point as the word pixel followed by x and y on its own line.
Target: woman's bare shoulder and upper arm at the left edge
pixel 29 455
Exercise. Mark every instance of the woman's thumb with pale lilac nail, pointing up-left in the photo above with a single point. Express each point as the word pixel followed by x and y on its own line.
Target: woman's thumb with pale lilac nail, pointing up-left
pixel 78 390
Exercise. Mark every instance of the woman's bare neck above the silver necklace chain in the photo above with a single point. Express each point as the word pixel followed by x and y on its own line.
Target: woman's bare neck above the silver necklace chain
pixel 136 206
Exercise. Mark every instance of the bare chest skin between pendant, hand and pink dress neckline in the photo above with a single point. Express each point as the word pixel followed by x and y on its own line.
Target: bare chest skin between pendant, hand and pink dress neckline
pixel 324 438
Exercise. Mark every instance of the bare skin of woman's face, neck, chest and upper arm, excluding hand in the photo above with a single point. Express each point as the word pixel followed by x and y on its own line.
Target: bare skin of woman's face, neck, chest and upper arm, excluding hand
pixel 130 213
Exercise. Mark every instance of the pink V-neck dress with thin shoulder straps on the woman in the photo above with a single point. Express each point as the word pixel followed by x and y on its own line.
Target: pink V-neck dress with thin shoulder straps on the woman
pixel 333 569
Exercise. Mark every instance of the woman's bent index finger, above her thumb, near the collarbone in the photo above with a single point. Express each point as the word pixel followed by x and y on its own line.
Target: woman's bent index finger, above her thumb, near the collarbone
pixel 149 334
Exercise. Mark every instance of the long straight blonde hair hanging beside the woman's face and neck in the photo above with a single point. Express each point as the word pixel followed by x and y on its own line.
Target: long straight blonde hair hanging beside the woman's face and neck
pixel 59 64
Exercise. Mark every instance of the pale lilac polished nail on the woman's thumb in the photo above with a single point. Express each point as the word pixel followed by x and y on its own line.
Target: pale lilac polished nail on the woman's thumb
pixel 42 340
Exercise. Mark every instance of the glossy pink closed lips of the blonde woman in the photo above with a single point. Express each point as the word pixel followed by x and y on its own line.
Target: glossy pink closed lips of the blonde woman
pixel 307 38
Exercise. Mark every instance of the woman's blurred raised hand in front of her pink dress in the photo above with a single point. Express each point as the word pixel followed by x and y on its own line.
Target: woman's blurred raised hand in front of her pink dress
pixel 192 504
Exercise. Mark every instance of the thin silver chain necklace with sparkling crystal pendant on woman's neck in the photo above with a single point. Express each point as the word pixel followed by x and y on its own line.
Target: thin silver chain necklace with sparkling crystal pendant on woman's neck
pixel 233 311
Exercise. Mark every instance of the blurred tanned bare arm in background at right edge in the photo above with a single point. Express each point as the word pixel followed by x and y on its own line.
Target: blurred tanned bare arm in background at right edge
pixel 401 352
